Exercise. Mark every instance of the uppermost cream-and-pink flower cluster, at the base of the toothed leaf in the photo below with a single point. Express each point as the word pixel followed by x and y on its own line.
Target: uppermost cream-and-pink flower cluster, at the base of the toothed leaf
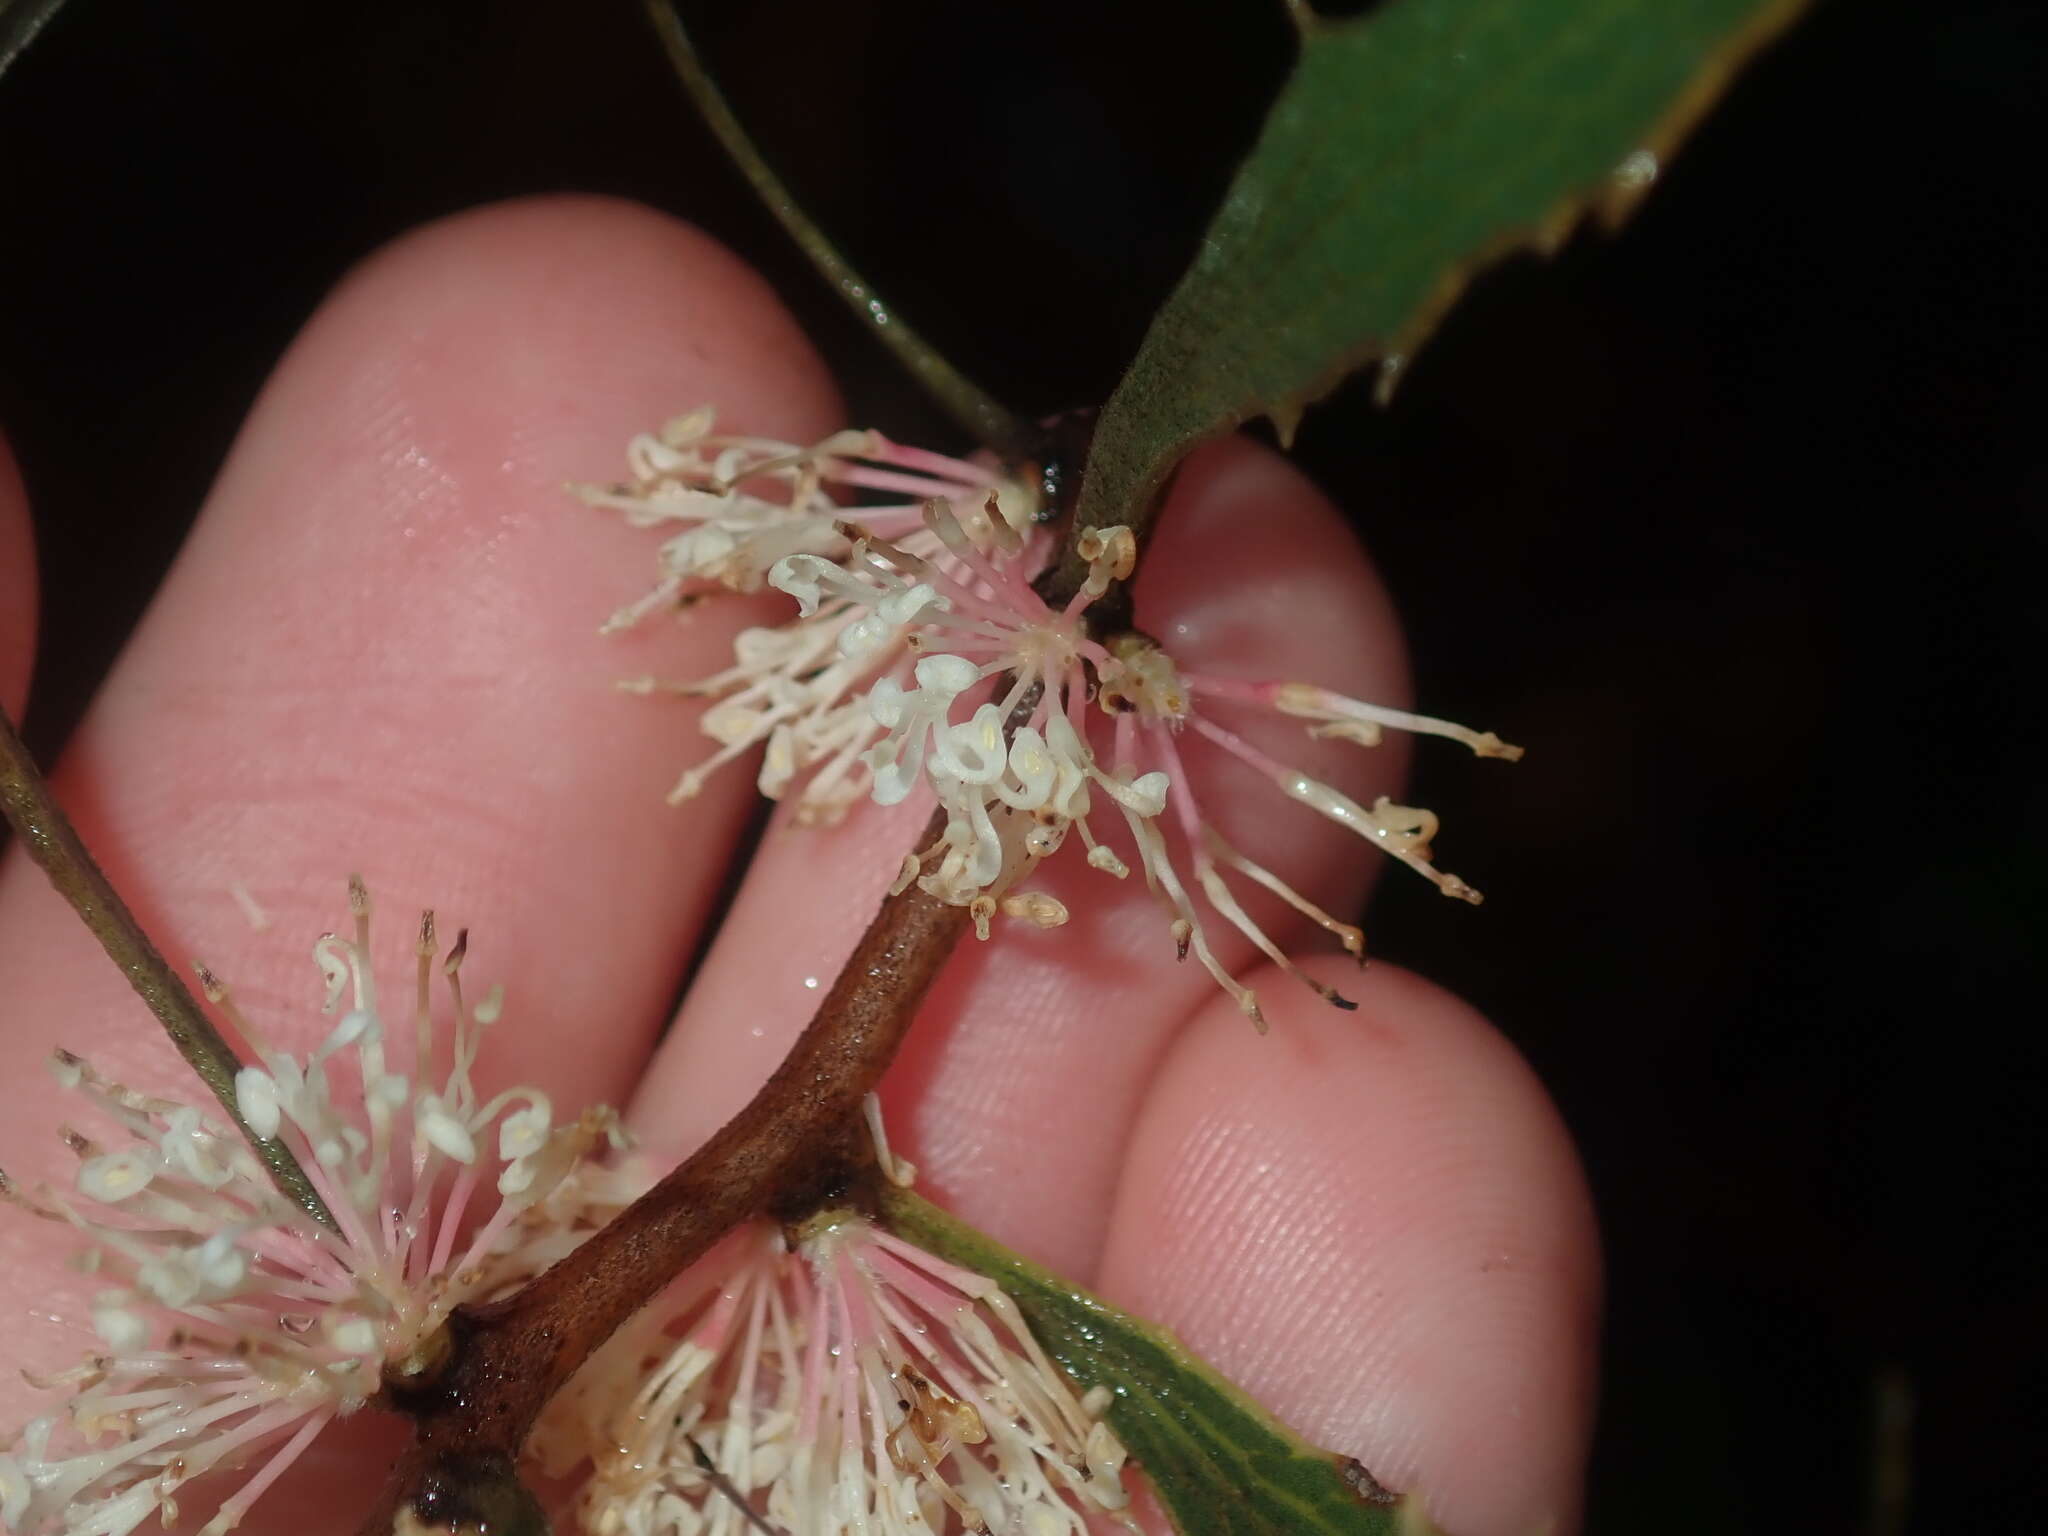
pixel 884 685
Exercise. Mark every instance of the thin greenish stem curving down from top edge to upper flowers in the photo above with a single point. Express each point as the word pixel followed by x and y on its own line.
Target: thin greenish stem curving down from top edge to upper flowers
pixel 972 407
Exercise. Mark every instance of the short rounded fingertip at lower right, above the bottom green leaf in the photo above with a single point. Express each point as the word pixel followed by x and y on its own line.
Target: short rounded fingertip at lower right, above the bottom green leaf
pixel 1377 1226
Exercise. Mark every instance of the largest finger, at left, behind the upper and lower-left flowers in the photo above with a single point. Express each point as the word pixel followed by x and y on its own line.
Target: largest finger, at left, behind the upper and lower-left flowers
pixel 380 652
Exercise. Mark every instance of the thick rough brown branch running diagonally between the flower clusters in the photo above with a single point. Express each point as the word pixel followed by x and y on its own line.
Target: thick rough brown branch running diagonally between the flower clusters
pixel 790 1148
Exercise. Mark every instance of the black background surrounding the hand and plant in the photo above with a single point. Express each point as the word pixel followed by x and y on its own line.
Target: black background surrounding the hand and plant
pixel 1734 519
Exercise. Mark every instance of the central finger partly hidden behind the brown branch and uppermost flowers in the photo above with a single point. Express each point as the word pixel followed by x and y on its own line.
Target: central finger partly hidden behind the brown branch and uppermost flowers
pixel 1017 1086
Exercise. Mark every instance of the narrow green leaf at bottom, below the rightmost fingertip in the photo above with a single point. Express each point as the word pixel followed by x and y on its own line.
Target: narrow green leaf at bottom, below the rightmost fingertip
pixel 1220 1463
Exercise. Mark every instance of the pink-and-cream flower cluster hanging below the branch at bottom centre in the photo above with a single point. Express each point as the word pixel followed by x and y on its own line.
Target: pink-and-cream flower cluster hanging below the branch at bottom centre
pixel 833 1383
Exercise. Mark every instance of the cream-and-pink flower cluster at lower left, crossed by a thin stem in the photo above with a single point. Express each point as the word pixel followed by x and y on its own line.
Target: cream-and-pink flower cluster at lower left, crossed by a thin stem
pixel 232 1322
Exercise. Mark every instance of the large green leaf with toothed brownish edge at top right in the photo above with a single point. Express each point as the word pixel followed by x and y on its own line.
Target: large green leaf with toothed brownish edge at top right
pixel 1410 148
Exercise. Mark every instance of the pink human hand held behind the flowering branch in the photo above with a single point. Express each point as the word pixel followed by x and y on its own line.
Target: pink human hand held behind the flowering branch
pixel 380 652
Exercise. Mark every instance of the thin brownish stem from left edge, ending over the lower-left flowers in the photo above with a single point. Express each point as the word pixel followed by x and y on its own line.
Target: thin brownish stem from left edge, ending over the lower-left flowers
pixel 52 841
